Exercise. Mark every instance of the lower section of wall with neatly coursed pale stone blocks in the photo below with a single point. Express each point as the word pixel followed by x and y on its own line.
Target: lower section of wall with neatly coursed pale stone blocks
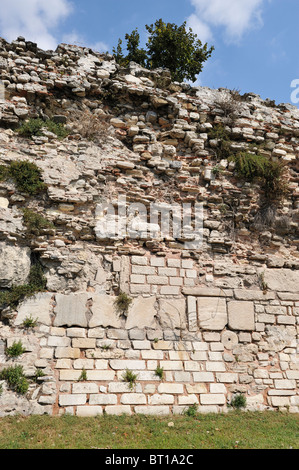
pixel 212 343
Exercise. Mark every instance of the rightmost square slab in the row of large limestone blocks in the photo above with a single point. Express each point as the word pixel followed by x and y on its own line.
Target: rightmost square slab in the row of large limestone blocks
pixel 241 315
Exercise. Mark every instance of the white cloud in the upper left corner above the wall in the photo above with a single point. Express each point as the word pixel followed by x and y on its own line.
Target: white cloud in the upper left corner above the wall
pixel 33 19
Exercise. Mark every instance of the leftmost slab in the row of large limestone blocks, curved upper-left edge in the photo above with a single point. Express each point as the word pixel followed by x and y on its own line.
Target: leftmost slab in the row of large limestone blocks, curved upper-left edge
pixel 37 307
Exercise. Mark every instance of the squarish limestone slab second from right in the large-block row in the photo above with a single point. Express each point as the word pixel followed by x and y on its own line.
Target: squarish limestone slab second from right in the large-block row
pixel 212 313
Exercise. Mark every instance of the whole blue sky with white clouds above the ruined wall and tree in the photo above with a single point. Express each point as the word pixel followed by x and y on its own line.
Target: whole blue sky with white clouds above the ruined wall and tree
pixel 256 41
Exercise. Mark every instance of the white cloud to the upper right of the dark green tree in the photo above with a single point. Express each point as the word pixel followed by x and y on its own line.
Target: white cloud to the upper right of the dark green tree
pixel 235 16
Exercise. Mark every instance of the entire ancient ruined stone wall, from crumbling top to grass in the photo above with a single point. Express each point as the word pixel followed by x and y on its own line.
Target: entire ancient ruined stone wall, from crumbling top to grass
pixel 204 323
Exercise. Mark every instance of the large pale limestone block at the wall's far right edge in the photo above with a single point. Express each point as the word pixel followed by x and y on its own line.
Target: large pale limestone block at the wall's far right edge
pixel 282 280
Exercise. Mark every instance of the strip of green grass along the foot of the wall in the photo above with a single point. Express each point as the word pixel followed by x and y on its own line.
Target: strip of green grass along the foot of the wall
pixel 235 430
